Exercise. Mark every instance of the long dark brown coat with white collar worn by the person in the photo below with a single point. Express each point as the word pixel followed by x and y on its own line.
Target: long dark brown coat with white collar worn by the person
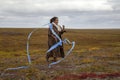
pixel 59 51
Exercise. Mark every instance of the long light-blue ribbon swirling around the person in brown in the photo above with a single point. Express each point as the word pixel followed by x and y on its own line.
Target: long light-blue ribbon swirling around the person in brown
pixel 65 41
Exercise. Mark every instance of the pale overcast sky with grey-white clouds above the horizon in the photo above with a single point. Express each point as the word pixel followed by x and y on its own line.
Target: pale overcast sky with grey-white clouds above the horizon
pixel 82 14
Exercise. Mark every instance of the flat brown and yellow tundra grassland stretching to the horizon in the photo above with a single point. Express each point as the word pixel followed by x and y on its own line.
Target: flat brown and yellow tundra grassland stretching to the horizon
pixel 97 53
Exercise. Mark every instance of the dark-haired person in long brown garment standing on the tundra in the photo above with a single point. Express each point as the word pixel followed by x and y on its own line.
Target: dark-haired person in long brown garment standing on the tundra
pixel 52 39
